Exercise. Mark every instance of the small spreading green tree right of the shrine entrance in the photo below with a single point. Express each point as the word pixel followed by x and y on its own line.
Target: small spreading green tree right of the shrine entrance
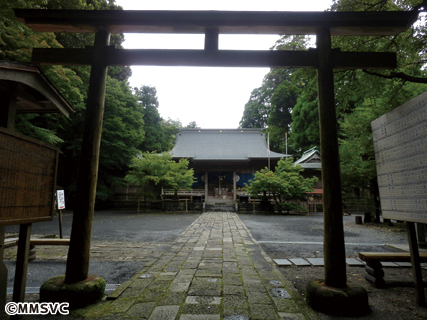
pixel 284 184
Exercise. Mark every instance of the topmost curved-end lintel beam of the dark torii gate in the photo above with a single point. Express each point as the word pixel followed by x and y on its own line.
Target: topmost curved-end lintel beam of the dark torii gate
pixel 227 22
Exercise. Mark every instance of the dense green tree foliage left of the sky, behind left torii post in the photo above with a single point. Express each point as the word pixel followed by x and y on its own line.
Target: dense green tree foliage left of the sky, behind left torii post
pixel 132 123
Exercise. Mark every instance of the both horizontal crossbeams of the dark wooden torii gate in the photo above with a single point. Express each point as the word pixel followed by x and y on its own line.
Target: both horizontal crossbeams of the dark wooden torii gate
pixel 213 23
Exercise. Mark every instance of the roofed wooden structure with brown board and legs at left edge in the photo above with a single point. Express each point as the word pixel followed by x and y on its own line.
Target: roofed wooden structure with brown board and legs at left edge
pixel 27 166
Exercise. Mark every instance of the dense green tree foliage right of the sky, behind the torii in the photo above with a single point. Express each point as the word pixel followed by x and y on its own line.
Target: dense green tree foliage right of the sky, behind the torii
pixel 360 95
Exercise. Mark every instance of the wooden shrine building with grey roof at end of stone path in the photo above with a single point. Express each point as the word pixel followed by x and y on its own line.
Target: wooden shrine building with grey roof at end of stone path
pixel 224 159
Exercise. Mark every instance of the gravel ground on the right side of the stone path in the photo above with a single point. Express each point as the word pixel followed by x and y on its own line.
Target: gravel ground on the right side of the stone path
pixel 301 236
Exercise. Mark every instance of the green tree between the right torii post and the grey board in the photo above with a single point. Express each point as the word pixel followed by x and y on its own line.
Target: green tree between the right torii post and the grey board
pixel 364 95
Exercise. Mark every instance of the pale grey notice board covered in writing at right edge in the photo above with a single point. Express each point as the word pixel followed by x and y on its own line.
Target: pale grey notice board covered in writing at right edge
pixel 400 143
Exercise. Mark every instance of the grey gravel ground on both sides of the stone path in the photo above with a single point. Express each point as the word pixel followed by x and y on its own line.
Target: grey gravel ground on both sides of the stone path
pixel 281 237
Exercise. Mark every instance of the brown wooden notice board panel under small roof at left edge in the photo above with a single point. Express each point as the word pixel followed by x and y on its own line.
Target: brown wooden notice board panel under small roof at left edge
pixel 28 169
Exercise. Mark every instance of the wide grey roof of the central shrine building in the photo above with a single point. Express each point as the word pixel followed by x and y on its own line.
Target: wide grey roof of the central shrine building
pixel 222 145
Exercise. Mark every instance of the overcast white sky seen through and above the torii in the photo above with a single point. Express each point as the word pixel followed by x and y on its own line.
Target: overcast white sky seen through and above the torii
pixel 213 97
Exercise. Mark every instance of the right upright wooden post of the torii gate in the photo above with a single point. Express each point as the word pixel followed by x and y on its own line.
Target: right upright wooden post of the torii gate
pixel 333 245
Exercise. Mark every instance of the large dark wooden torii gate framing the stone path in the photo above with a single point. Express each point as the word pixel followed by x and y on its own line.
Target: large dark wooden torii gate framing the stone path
pixel 213 23
